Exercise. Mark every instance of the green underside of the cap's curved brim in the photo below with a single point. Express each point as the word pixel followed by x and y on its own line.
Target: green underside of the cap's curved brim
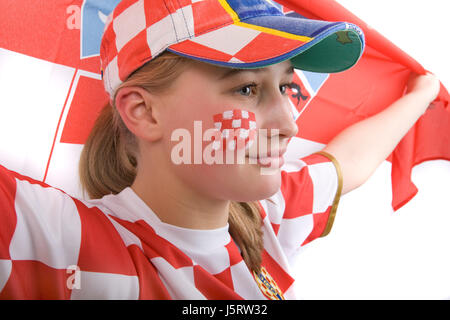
pixel 336 52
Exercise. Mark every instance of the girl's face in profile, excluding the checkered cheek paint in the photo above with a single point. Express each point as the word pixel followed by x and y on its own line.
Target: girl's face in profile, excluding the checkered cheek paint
pixel 187 112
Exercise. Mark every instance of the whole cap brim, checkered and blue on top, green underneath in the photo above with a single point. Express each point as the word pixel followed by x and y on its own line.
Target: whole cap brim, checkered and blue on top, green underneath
pixel 311 45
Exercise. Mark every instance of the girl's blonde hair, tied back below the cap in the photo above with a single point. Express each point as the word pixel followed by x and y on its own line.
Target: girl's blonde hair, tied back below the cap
pixel 109 158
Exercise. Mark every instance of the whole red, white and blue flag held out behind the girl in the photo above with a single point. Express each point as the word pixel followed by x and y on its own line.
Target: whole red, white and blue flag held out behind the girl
pixel 52 92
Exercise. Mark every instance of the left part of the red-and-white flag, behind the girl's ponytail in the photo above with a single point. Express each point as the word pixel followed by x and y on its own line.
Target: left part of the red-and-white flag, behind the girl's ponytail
pixel 51 85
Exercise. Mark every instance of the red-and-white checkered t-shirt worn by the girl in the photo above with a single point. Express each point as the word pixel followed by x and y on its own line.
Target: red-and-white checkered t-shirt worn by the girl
pixel 53 246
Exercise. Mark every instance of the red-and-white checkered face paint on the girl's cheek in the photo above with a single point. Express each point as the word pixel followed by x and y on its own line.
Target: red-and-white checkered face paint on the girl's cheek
pixel 236 129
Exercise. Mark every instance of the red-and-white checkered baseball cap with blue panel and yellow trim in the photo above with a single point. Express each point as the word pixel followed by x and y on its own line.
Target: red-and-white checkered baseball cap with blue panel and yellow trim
pixel 230 33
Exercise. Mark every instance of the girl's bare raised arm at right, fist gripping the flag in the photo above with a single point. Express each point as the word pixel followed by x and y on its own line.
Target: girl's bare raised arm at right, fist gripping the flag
pixel 362 147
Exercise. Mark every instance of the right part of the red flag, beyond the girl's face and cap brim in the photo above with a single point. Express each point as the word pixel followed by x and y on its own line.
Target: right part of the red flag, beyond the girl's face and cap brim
pixel 377 80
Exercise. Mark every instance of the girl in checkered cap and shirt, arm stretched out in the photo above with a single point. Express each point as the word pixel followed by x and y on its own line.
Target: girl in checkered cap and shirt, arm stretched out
pixel 160 228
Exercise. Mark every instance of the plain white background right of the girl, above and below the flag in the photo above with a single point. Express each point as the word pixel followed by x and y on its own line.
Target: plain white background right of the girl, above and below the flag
pixel 373 252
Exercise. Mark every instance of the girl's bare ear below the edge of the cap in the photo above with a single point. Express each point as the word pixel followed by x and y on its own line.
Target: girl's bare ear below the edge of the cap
pixel 137 108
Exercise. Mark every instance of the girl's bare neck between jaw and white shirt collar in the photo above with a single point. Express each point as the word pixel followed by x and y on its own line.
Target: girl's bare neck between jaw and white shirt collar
pixel 176 203
